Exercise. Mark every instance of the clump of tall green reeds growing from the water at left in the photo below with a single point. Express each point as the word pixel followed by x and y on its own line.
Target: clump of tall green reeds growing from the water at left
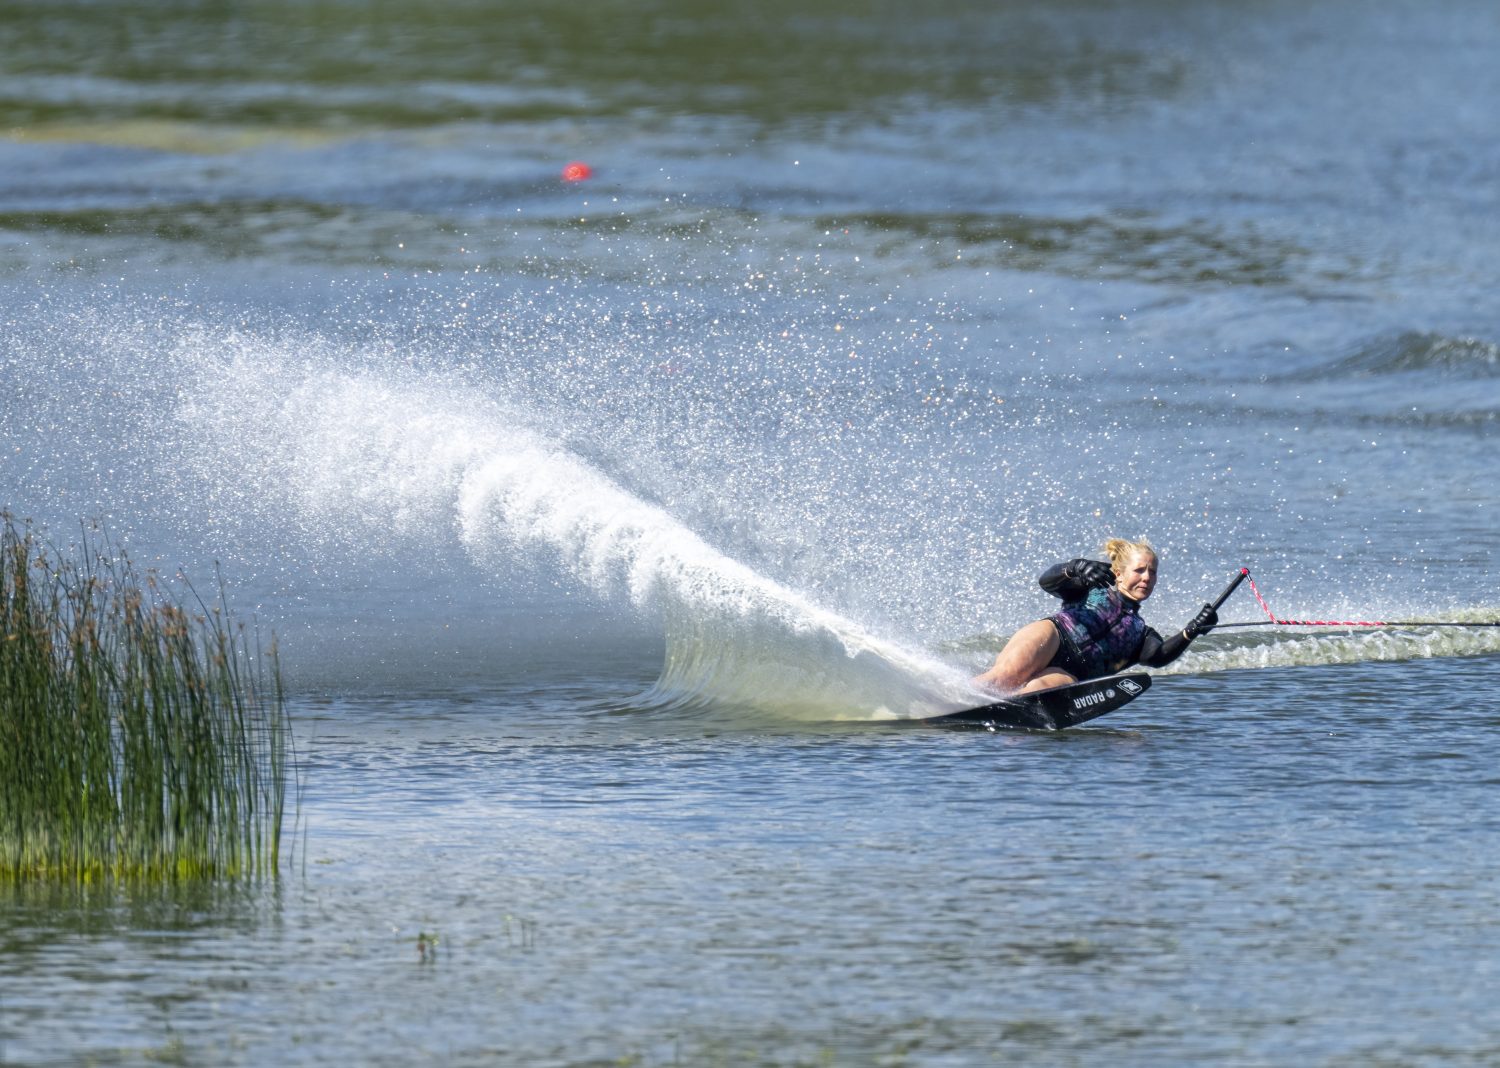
pixel 143 736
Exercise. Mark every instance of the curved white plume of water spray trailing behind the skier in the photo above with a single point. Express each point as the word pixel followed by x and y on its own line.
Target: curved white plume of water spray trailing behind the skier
pixel 403 454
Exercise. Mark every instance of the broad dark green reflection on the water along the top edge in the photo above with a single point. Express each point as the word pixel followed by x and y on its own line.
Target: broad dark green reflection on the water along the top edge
pixel 395 65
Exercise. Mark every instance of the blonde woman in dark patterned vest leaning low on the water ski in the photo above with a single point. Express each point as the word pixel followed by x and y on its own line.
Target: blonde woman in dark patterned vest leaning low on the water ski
pixel 1099 631
